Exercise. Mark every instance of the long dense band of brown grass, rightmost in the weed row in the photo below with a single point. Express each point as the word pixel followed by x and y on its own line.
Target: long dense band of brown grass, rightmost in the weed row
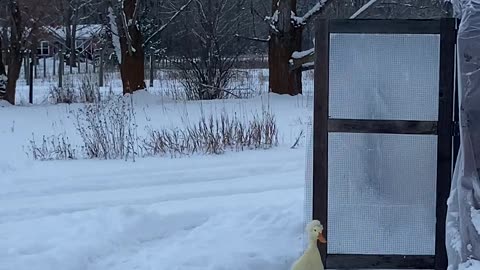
pixel 214 135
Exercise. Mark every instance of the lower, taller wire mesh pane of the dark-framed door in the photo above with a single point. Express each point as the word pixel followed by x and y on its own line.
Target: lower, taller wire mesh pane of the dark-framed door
pixel 381 194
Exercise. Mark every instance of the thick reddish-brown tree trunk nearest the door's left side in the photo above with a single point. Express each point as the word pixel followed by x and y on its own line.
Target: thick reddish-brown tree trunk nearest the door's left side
pixel 282 44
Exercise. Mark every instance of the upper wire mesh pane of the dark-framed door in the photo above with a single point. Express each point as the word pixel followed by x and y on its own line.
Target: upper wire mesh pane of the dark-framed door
pixel 384 76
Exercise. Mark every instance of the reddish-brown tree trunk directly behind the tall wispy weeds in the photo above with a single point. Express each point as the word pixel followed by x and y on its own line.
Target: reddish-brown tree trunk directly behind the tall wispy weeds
pixel 132 62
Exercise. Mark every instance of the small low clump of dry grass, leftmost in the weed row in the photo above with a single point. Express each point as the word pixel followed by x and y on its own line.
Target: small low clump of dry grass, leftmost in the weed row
pixel 51 148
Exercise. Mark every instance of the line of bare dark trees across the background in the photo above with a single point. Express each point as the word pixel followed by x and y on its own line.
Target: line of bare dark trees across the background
pixel 209 35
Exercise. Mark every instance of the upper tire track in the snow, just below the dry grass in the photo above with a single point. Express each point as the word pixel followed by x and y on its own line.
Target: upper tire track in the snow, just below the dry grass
pixel 118 181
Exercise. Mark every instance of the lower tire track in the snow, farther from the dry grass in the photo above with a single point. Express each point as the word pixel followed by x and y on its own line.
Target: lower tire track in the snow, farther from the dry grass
pixel 34 207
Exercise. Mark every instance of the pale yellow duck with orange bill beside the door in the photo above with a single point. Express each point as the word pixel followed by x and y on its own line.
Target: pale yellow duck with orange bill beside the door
pixel 311 260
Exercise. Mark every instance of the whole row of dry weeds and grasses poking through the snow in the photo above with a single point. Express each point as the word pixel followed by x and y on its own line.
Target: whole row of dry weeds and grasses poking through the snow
pixel 108 130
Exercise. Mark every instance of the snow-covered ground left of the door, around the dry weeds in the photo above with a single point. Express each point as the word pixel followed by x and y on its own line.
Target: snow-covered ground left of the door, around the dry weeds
pixel 235 210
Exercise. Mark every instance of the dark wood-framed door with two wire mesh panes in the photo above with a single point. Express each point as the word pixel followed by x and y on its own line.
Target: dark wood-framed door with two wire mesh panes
pixel 382 141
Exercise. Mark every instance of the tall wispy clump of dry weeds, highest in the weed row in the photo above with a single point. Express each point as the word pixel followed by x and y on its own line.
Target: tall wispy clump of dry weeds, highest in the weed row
pixel 108 128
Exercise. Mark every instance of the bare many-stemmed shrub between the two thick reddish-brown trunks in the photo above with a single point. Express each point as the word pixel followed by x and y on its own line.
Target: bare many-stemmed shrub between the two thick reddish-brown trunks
pixel 211 46
